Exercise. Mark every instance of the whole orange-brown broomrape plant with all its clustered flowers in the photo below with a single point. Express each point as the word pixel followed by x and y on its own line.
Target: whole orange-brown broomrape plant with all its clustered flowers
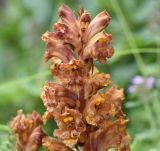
pixel 87 119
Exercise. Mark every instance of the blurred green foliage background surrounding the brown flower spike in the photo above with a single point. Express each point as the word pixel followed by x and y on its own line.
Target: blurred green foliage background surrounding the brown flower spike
pixel 135 26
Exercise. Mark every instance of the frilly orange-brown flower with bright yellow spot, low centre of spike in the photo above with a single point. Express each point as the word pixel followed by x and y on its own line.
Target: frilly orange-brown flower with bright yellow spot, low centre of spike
pixel 70 125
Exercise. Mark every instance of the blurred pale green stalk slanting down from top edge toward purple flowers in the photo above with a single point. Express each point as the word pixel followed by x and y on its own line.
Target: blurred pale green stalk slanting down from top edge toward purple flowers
pixel 129 36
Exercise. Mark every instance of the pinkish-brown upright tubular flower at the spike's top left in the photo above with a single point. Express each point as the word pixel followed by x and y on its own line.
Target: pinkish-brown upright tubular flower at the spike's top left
pixel 67 28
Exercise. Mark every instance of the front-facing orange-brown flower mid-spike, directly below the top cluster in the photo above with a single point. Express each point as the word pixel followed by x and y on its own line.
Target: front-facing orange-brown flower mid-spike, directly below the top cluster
pixel 70 74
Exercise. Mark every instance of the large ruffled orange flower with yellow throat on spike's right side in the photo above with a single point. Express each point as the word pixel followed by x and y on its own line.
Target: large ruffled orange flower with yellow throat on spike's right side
pixel 101 108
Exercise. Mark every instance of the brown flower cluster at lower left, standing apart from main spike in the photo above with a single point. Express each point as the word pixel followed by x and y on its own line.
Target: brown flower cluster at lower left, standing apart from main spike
pixel 28 131
